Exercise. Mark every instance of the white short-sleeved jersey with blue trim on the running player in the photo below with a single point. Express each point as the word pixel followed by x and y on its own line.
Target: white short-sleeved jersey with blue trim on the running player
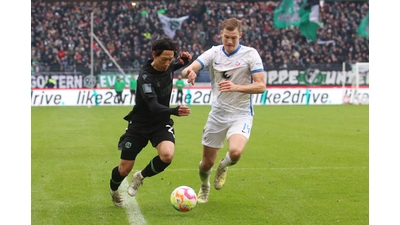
pixel 236 67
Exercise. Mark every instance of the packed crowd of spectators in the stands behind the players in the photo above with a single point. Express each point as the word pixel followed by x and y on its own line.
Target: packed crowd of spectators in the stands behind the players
pixel 60 33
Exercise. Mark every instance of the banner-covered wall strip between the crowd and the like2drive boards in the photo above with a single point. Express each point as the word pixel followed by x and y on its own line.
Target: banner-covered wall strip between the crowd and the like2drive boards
pixel 314 77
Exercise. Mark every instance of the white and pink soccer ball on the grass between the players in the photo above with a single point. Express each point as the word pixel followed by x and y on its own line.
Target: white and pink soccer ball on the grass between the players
pixel 183 199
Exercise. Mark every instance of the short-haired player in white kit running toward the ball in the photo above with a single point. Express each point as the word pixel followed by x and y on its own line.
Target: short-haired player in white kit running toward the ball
pixel 236 72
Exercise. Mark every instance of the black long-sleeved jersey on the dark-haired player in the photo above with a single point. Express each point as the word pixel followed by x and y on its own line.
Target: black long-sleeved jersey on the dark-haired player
pixel 152 98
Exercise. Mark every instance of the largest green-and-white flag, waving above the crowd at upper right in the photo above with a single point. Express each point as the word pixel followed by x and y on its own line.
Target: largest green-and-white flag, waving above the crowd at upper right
pixel 302 14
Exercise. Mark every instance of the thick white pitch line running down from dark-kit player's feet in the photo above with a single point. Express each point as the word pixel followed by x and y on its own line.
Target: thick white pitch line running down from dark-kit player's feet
pixel 132 210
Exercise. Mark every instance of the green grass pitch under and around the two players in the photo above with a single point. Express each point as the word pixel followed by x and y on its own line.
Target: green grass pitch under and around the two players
pixel 303 165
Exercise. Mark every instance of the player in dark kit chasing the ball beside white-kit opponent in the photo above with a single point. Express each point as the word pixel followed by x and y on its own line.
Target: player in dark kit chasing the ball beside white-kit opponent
pixel 150 118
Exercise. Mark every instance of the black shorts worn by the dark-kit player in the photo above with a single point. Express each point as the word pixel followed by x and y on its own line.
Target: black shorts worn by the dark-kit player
pixel 132 141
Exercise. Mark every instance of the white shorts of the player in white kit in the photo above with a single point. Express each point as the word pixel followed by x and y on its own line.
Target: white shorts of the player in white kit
pixel 215 132
